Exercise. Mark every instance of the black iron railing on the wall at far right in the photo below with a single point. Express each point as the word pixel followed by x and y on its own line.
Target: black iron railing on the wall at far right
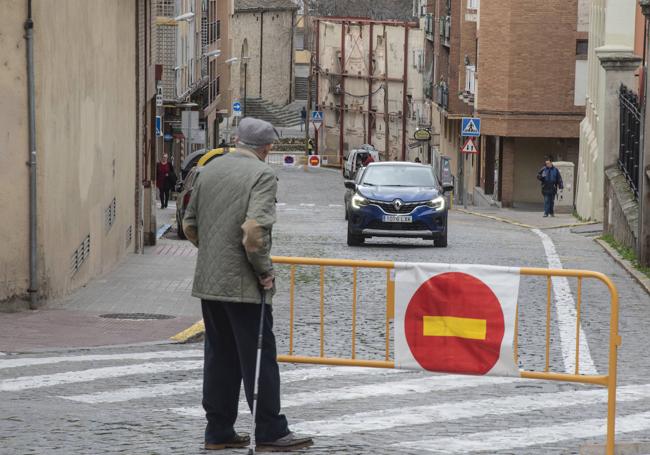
pixel 630 137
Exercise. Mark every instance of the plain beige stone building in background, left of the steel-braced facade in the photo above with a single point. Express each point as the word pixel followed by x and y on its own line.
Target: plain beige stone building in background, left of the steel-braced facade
pixel 277 69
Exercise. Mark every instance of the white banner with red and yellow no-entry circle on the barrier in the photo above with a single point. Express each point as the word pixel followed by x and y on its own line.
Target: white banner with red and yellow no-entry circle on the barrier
pixel 456 318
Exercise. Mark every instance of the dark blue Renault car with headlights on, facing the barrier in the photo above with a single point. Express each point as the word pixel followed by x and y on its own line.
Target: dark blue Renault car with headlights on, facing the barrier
pixel 395 199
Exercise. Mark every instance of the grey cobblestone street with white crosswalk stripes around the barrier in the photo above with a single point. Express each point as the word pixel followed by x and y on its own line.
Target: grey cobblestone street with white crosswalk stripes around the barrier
pixel 145 399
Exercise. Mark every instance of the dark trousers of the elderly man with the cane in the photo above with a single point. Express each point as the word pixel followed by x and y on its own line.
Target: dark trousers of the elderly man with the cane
pixel 231 331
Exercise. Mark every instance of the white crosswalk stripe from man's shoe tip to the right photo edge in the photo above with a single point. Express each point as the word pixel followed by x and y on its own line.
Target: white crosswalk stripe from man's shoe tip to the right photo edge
pixel 419 415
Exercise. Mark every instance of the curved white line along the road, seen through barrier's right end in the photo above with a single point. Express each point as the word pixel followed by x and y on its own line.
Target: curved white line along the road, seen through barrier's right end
pixel 565 308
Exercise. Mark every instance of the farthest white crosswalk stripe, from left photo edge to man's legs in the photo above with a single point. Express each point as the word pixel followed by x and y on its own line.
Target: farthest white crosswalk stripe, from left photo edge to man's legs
pixel 31 361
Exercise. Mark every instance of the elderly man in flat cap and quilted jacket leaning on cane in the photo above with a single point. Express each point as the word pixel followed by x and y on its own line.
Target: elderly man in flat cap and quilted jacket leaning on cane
pixel 229 218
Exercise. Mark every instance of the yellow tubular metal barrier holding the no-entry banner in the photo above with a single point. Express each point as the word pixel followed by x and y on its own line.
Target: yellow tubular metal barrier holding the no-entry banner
pixel 608 380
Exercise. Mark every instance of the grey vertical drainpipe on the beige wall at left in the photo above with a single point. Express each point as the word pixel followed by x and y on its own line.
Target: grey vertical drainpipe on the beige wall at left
pixel 33 257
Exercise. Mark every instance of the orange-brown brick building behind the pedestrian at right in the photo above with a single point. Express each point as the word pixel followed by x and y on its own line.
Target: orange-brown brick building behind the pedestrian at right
pixel 531 83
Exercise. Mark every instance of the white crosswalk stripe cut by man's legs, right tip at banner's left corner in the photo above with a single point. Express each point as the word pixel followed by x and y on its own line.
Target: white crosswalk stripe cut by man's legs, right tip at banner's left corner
pixel 181 387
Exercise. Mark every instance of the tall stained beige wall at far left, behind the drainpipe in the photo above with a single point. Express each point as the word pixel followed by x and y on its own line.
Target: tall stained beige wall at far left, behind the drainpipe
pixel 85 120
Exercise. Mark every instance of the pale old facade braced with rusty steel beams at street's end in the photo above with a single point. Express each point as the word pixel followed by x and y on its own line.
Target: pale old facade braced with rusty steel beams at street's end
pixel 370 86
